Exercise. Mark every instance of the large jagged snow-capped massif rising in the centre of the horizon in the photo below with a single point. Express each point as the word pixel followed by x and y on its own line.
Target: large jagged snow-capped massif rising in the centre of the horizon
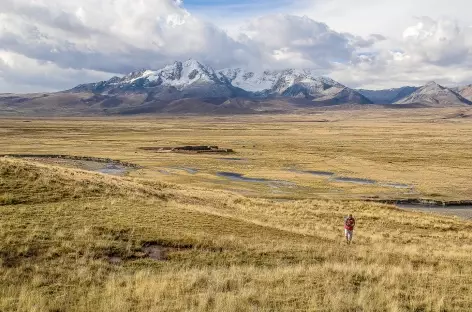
pixel 192 79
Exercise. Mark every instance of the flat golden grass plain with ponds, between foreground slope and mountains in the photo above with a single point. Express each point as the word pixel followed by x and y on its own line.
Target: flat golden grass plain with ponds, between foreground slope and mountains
pixel 425 148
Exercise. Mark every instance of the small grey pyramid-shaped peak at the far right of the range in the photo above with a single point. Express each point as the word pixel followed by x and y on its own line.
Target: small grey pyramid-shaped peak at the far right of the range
pixel 433 94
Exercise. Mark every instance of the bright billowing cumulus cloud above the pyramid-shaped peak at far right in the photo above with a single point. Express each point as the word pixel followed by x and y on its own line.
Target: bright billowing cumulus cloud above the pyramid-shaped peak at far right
pixel 436 50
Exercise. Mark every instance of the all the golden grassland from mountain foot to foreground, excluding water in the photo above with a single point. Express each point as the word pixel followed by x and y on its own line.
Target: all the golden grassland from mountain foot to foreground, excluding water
pixel 61 227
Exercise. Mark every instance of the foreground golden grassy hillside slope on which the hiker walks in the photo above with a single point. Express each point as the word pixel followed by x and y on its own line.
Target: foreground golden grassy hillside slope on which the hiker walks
pixel 195 249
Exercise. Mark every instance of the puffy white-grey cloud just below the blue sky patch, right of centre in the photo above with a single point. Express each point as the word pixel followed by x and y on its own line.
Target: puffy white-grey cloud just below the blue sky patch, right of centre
pixel 293 41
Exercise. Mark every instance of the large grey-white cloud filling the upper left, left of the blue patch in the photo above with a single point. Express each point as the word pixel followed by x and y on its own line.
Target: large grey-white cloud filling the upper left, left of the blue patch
pixel 111 35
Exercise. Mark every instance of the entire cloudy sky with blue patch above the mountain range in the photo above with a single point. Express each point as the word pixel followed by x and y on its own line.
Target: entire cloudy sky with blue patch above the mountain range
pixel 52 45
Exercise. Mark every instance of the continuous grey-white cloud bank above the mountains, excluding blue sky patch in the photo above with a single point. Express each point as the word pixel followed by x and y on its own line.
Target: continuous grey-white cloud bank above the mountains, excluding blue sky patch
pixel 50 45
